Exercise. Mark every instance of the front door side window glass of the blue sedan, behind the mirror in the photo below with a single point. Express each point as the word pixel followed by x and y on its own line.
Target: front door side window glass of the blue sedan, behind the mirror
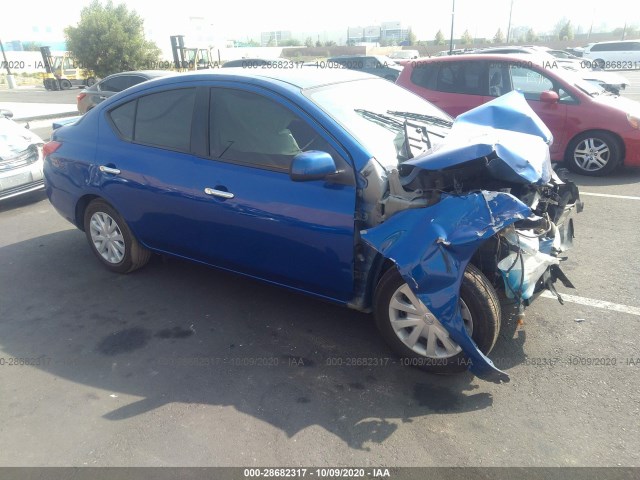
pixel 253 130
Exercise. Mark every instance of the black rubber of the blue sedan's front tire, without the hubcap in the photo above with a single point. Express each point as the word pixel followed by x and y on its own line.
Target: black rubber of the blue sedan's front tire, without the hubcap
pixel 478 295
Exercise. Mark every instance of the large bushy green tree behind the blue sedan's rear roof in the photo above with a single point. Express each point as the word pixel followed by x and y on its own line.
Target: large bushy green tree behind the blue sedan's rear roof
pixel 110 39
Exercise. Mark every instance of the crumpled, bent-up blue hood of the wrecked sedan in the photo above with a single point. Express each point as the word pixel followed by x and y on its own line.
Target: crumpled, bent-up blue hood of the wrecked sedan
pixel 506 132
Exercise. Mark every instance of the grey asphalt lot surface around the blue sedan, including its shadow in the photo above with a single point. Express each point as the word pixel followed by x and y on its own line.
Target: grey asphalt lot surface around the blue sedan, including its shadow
pixel 183 365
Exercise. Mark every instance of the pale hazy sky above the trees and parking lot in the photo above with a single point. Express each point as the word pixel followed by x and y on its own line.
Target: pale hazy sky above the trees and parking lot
pixel 247 18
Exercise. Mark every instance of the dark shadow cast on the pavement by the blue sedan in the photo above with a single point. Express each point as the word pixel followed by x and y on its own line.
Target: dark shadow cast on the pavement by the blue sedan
pixel 180 332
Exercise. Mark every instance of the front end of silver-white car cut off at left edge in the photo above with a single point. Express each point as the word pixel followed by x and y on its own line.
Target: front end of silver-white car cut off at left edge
pixel 20 158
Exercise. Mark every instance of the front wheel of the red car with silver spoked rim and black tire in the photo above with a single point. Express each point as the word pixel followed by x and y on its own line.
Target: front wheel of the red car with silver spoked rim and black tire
pixel 587 141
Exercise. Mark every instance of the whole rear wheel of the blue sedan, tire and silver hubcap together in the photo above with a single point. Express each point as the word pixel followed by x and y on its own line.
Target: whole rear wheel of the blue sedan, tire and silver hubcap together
pixel 111 239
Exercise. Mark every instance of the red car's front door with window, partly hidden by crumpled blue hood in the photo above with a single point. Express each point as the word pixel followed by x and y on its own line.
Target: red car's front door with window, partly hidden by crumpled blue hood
pixel 531 81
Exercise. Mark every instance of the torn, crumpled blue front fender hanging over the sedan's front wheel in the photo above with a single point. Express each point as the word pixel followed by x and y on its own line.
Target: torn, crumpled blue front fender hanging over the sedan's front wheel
pixel 449 232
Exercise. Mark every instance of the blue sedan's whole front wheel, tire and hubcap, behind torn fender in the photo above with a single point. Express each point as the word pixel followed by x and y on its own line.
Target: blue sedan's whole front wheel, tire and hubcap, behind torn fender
pixel 419 338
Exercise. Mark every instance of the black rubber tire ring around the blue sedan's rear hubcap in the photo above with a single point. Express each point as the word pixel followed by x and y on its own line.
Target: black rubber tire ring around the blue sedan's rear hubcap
pixel 134 256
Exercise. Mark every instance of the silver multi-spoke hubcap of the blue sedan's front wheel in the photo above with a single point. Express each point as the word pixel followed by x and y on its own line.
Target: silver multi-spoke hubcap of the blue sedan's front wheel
pixel 419 329
